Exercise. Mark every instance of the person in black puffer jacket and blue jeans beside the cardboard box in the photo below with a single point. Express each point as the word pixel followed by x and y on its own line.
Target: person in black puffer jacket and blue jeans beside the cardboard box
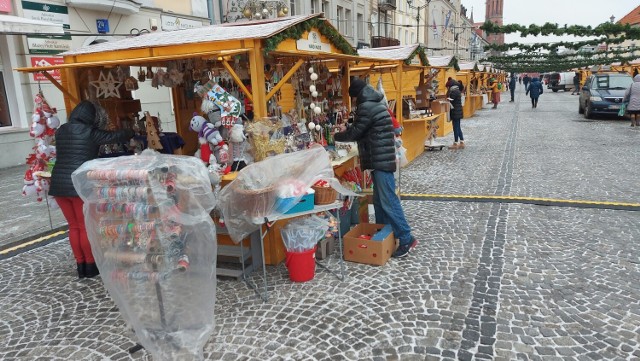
pixel 373 130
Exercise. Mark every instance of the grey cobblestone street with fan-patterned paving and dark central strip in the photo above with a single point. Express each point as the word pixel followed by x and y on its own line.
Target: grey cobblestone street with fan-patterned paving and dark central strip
pixel 489 280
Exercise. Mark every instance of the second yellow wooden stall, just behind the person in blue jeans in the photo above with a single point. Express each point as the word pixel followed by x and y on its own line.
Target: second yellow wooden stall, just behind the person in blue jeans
pixel 409 89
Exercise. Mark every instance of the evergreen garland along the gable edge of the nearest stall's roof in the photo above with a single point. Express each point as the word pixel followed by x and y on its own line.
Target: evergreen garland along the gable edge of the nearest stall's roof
pixel 295 32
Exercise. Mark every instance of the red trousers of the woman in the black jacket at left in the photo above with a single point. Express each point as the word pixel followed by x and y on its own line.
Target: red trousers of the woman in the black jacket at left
pixel 71 208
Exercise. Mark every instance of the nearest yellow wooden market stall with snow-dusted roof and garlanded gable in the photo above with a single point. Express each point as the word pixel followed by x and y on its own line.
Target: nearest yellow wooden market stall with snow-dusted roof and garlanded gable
pixel 265 64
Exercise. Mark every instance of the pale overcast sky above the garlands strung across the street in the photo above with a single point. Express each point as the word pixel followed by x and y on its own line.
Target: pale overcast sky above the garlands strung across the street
pixel 570 12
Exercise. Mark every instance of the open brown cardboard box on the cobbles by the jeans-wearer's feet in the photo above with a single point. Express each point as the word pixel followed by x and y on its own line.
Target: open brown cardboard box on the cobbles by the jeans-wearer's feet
pixel 368 251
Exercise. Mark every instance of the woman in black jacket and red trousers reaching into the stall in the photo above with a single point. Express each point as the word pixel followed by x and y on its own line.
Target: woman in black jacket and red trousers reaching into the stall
pixel 78 141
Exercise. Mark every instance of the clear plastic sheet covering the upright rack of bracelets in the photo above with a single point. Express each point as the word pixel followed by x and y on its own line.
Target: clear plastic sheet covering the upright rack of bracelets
pixel 148 222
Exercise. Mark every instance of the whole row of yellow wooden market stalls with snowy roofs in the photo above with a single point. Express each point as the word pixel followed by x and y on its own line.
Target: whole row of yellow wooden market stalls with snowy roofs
pixel 266 65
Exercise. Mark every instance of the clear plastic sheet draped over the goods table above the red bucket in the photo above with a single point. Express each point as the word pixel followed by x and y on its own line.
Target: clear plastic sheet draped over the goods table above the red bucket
pixel 271 187
